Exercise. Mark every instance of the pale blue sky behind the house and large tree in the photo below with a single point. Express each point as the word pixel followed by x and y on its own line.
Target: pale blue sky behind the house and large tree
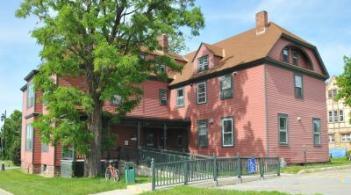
pixel 326 24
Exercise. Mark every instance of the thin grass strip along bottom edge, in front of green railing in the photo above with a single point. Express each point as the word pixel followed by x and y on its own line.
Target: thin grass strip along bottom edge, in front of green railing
pixel 201 191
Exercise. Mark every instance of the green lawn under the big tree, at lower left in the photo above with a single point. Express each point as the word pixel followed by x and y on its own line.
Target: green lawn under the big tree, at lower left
pixel 18 183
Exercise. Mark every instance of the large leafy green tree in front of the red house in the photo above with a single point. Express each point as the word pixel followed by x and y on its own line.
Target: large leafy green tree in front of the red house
pixel 100 40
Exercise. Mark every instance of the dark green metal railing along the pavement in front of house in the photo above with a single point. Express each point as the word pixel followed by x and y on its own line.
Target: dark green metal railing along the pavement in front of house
pixel 187 171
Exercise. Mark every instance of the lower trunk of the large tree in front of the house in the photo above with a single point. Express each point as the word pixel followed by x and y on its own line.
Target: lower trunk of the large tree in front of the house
pixel 92 164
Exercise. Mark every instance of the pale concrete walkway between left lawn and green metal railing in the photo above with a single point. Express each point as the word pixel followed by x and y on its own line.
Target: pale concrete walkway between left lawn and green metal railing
pixel 131 190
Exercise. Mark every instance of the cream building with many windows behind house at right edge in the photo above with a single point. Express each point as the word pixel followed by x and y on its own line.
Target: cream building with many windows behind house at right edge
pixel 339 127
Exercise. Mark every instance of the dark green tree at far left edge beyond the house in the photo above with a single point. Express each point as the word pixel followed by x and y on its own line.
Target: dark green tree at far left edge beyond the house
pixel 11 137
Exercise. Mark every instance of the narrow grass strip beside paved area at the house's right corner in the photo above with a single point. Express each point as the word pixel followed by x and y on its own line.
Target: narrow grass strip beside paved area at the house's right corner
pixel 332 163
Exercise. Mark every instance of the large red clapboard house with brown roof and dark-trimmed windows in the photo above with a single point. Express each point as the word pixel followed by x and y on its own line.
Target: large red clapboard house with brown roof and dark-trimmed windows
pixel 260 93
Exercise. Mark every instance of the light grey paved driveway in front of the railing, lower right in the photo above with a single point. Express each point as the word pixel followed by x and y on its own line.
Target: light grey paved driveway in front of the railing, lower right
pixel 332 182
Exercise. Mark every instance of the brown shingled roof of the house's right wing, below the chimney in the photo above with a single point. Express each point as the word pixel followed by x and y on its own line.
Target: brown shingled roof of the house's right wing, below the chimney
pixel 239 49
